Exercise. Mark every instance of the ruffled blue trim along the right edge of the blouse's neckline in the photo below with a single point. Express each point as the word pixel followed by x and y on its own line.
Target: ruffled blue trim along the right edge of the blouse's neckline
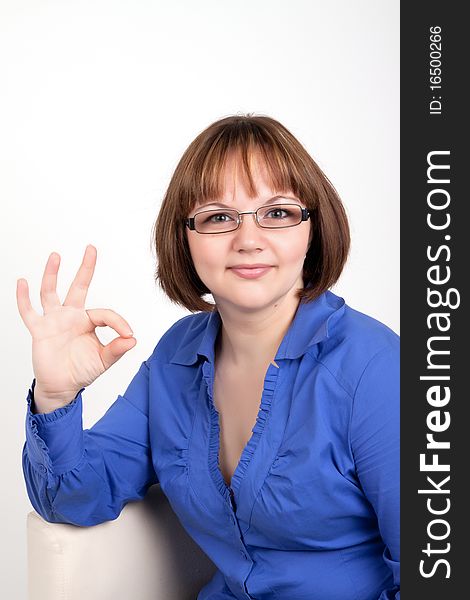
pixel 258 428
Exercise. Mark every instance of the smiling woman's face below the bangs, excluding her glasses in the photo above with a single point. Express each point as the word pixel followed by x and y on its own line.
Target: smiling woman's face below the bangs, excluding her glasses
pixel 283 250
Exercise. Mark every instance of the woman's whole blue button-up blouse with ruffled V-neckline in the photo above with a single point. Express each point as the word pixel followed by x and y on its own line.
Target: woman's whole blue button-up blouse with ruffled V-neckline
pixel 312 512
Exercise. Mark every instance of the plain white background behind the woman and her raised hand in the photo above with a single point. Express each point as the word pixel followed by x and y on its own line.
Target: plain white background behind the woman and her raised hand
pixel 99 99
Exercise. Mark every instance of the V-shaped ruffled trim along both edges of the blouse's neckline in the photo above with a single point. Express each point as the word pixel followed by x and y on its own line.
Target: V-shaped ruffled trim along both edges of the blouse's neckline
pixel 214 438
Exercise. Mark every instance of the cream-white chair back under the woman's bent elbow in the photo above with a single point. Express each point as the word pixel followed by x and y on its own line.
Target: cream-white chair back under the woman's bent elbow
pixel 144 554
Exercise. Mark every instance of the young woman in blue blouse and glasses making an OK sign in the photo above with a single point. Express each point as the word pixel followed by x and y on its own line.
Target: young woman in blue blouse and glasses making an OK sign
pixel 270 418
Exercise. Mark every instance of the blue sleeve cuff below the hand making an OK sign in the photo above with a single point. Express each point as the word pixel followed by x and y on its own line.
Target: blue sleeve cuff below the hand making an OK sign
pixel 54 441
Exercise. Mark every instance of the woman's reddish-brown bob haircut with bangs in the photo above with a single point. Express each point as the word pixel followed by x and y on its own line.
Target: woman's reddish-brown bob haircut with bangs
pixel 198 178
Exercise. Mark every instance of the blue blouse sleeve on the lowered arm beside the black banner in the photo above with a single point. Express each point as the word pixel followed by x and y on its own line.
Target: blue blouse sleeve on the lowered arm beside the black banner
pixel 375 443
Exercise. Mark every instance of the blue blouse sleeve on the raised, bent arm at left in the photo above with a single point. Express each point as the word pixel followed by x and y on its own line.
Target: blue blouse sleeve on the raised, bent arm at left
pixel 85 477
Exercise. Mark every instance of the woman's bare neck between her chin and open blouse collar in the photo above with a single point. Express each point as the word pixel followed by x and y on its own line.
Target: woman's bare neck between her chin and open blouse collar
pixel 249 341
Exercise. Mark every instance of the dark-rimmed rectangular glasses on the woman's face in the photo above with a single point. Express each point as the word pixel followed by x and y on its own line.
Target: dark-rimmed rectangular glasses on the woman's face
pixel 223 220
